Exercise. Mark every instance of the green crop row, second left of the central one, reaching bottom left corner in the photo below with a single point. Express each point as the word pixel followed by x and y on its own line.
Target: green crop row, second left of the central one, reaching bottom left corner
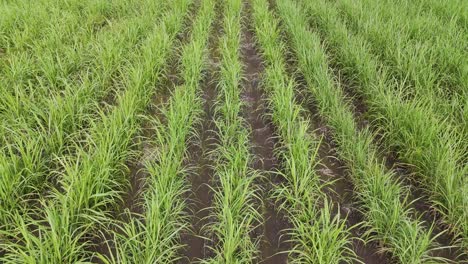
pixel 89 186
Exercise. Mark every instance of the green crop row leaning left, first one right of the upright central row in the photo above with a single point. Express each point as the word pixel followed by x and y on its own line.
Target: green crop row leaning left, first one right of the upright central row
pixel 317 234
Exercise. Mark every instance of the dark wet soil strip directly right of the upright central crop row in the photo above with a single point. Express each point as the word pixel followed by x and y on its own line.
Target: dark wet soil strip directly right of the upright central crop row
pixel 273 242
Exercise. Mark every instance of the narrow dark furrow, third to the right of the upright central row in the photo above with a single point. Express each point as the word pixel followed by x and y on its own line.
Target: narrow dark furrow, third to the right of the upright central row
pixel 422 207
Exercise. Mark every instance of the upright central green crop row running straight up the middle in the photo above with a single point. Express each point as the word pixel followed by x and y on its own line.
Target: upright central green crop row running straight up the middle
pixel 235 203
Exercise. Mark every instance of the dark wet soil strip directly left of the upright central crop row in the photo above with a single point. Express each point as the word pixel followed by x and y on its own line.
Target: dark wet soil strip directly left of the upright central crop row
pixel 202 177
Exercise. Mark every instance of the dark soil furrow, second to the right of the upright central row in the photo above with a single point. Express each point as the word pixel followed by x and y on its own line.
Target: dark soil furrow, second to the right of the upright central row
pixel 333 170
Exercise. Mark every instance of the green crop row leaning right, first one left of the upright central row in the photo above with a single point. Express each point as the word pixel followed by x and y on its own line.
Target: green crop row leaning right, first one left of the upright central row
pixel 155 238
